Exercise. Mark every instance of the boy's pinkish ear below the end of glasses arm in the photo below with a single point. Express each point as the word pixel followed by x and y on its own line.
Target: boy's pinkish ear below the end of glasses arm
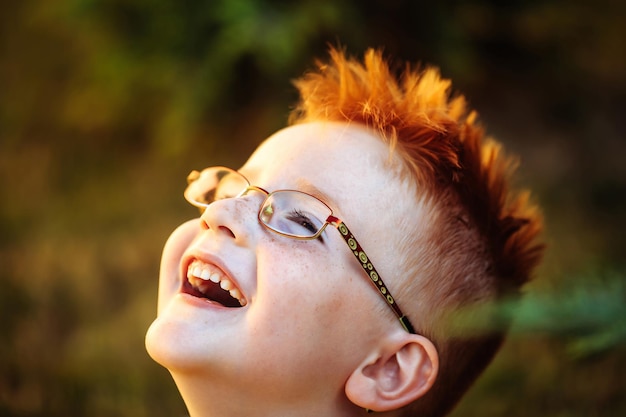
pixel 401 371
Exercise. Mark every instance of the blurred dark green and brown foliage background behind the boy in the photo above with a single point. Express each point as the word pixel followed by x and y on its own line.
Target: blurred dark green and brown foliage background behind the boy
pixel 105 105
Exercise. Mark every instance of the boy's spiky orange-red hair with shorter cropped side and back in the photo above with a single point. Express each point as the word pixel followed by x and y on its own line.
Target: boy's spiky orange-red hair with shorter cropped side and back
pixel 480 243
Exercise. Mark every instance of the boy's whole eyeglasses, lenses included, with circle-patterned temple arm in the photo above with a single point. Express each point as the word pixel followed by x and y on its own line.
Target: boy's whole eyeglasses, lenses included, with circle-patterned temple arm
pixel 291 213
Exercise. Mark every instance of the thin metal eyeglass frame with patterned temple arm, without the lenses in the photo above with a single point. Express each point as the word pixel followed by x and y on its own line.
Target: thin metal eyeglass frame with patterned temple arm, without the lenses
pixel 348 237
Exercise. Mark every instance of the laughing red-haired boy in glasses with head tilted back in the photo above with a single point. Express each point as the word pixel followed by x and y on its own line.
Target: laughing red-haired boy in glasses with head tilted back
pixel 323 276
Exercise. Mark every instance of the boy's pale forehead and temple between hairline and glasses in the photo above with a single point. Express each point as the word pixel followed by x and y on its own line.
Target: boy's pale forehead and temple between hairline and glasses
pixel 349 165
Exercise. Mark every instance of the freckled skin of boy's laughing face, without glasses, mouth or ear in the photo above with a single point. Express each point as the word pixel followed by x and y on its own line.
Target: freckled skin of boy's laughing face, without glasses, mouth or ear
pixel 310 314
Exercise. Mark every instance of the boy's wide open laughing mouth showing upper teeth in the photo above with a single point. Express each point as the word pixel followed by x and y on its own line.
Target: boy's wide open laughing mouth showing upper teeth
pixel 208 282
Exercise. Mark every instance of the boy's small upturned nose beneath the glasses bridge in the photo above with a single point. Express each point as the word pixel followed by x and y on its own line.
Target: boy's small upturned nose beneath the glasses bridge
pixel 234 218
